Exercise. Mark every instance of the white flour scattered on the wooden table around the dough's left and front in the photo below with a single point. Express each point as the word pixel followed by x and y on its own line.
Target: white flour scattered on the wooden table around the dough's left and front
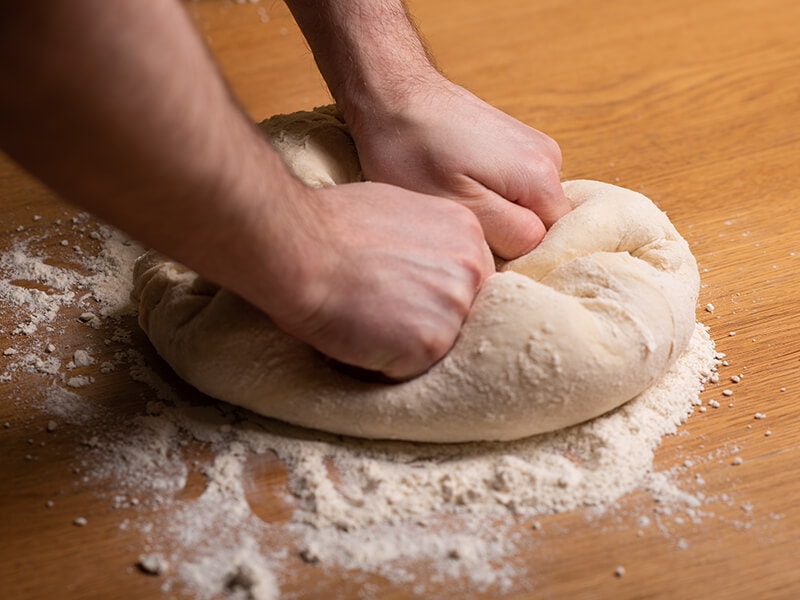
pixel 420 515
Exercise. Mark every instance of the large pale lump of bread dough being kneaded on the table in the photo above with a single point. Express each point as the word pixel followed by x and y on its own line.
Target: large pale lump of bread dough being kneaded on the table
pixel 585 322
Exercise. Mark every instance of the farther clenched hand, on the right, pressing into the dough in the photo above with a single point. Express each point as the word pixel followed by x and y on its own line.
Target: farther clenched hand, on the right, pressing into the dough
pixel 442 140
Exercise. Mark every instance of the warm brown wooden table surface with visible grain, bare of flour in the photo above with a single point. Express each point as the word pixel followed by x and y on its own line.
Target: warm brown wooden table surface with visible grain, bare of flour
pixel 694 104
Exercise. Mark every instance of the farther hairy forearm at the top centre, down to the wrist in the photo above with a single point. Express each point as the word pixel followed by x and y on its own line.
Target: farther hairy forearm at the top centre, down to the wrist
pixel 368 51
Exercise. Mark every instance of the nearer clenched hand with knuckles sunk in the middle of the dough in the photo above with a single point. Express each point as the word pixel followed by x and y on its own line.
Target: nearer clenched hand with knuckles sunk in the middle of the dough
pixel 395 273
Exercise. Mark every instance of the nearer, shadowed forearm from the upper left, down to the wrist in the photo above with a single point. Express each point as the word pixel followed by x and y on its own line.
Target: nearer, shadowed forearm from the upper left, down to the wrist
pixel 121 110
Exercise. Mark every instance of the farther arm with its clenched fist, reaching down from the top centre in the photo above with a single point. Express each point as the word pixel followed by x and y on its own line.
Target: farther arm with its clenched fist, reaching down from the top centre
pixel 416 129
